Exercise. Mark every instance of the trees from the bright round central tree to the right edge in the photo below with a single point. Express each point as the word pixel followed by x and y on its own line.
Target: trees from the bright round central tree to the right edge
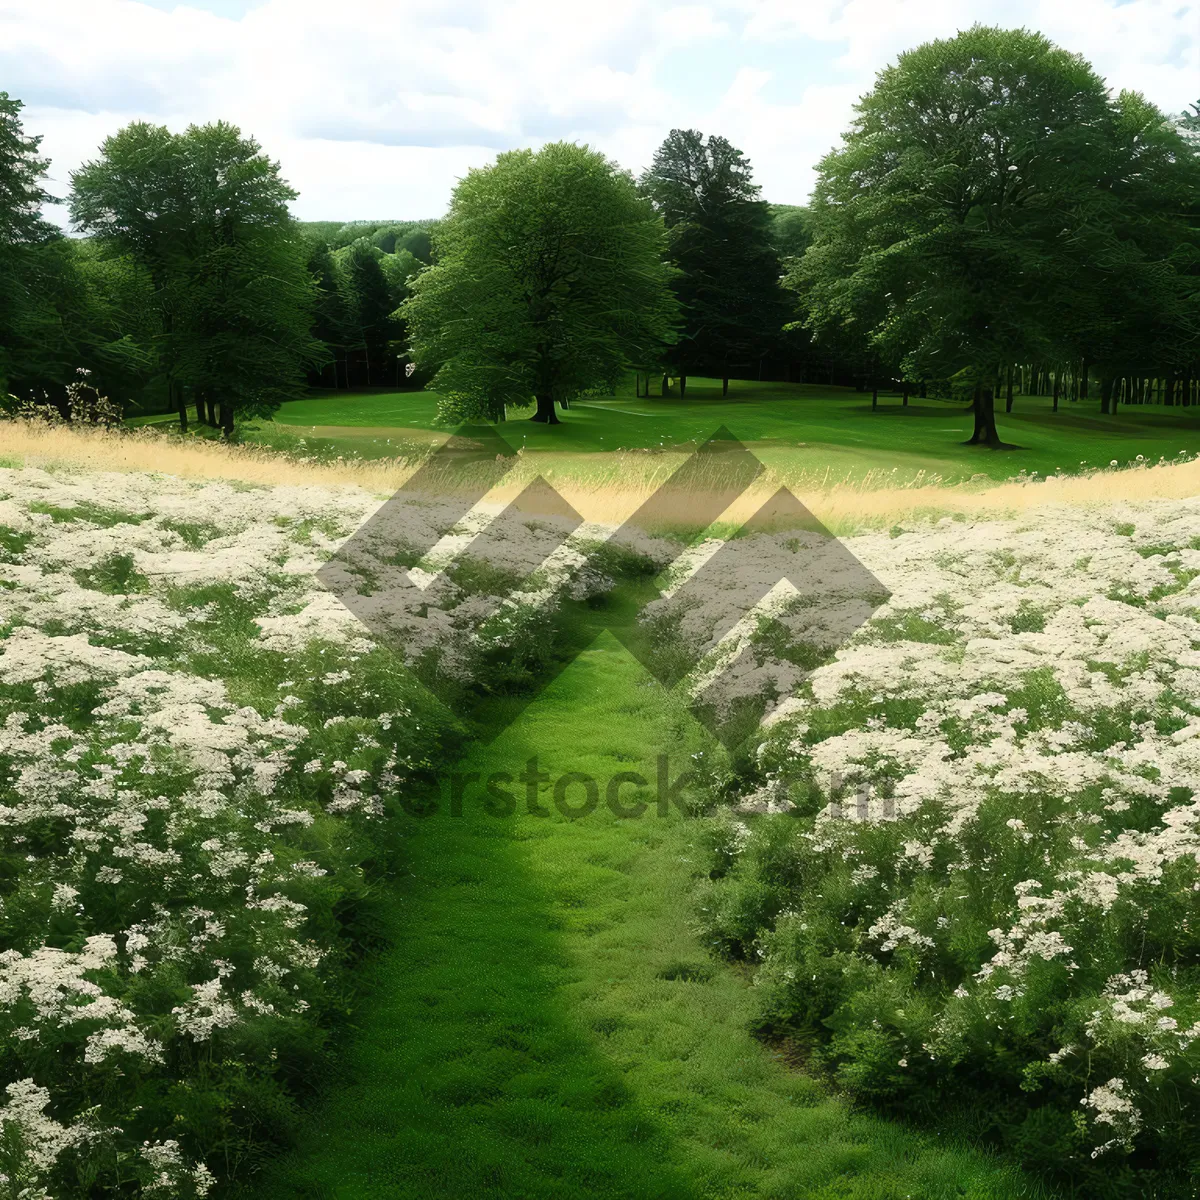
pixel 994 211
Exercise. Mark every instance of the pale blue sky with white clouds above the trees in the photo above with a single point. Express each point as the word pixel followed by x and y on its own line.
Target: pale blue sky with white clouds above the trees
pixel 376 107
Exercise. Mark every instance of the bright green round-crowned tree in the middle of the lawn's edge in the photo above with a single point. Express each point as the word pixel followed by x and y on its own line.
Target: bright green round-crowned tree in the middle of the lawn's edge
pixel 548 280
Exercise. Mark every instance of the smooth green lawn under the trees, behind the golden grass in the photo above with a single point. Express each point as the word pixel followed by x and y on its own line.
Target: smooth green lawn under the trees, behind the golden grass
pixel 811 427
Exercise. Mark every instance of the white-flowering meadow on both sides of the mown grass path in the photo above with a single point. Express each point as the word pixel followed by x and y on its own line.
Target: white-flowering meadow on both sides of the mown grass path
pixel 971 863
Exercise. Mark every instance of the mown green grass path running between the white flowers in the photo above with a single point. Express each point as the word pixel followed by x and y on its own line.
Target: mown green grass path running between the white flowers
pixel 548 1025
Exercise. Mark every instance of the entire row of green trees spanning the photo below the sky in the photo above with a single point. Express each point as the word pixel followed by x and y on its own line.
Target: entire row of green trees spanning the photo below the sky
pixel 995 223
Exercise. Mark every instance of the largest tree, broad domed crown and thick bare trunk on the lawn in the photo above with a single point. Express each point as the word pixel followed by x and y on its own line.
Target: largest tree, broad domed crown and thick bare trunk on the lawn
pixel 944 226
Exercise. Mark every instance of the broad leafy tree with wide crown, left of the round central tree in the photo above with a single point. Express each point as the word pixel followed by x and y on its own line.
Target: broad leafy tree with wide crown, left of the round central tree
pixel 206 214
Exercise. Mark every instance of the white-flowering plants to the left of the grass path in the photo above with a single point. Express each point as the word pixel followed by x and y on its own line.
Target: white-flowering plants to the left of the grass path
pixel 197 747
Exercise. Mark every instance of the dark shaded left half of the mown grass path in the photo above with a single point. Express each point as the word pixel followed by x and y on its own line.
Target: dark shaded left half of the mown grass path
pixel 467 1076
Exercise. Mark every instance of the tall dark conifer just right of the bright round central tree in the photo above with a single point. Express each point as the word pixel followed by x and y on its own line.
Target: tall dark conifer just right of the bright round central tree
pixel 722 239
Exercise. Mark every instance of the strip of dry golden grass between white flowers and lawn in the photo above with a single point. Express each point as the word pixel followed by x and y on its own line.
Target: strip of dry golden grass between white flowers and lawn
pixel 605 489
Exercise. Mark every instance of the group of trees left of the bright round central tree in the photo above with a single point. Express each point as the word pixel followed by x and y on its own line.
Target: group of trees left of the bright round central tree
pixel 193 290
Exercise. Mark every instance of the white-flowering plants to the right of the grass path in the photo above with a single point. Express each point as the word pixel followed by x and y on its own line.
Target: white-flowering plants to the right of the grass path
pixel 967 862
